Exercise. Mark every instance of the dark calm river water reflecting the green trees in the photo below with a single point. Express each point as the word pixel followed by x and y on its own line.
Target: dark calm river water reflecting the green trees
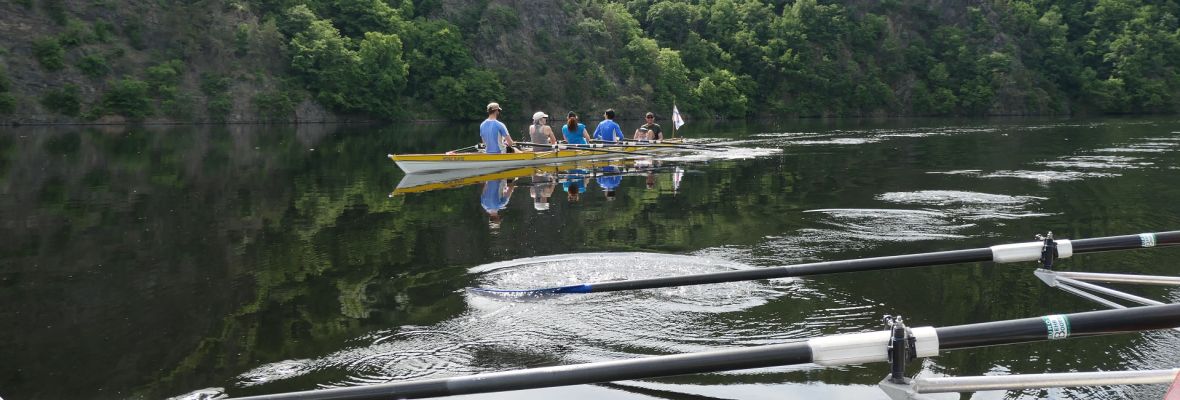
pixel 204 261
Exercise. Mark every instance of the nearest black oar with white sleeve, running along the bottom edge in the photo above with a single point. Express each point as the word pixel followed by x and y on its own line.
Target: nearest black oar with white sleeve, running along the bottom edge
pixel 825 351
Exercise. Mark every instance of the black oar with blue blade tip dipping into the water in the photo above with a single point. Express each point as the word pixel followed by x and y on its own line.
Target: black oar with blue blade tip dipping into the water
pixel 1000 254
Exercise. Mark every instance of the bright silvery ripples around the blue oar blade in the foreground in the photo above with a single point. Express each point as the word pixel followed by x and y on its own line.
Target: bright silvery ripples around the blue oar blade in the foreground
pixel 503 333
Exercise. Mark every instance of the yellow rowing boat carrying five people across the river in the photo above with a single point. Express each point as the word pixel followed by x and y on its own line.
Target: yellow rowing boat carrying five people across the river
pixel 470 161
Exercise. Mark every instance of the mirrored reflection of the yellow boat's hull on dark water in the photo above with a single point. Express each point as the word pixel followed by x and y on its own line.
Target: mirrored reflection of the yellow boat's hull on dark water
pixel 455 179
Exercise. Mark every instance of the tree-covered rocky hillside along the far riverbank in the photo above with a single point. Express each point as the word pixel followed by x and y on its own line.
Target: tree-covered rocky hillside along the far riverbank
pixel 246 61
